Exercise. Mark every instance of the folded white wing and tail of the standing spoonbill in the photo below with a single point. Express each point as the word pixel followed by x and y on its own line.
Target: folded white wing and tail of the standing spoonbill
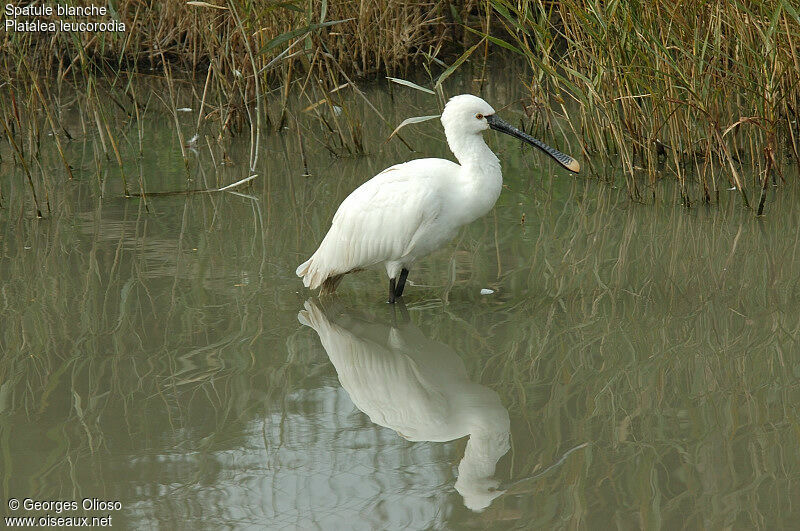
pixel 378 221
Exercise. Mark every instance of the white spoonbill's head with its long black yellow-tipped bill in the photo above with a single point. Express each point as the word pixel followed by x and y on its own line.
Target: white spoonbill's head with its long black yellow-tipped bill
pixel 469 115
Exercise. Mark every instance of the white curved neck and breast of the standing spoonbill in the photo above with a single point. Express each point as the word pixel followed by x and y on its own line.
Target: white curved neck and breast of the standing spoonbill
pixel 480 176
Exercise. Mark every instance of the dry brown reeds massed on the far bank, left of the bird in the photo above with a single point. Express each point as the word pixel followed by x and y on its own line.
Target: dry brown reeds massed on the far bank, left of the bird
pixel 232 37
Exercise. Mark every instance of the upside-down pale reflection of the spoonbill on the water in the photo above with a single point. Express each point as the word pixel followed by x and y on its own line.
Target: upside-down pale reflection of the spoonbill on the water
pixel 418 387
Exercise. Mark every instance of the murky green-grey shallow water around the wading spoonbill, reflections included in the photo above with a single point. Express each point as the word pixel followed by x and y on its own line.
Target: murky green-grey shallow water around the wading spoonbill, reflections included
pixel 634 366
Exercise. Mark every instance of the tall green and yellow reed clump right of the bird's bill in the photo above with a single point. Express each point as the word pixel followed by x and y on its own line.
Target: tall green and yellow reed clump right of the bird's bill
pixel 705 91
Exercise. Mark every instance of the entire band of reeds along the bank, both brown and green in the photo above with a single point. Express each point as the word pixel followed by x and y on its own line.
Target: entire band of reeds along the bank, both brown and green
pixel 705 93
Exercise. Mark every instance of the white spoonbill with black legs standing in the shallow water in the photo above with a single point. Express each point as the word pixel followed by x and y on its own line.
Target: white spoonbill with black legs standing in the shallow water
pixel 411 209
